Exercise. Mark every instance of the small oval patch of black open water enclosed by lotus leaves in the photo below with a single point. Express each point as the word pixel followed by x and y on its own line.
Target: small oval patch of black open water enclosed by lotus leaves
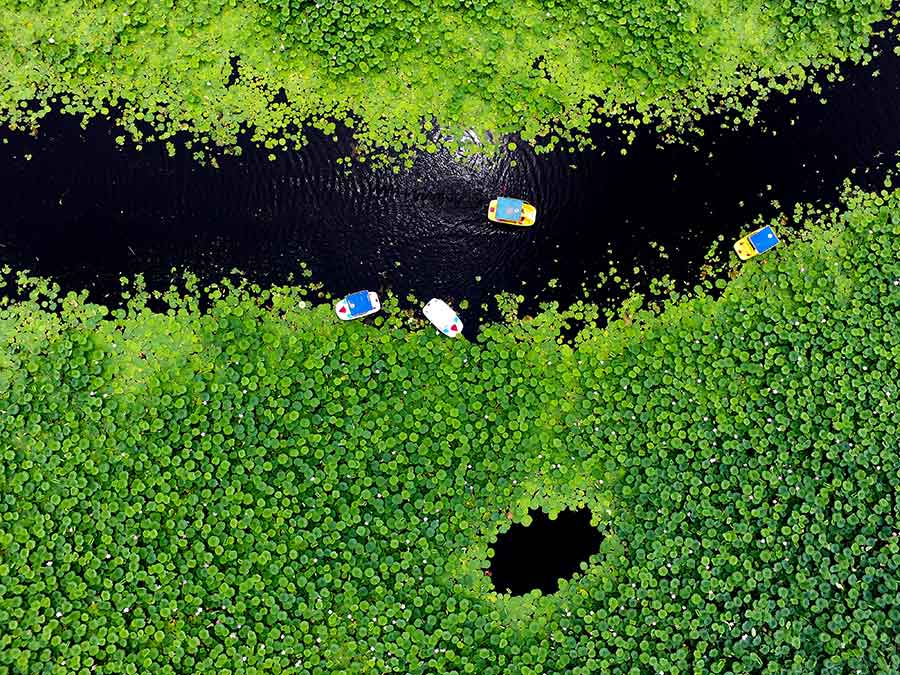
pixel 539 555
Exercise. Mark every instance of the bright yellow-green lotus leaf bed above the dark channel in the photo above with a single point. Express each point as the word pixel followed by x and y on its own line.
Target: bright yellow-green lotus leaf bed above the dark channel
pixel 388 67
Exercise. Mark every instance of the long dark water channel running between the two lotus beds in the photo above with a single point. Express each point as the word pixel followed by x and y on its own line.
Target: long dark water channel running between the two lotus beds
pixel 83 211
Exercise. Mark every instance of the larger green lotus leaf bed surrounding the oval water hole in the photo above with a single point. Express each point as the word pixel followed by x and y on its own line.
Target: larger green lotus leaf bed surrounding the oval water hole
pixel 260 488
